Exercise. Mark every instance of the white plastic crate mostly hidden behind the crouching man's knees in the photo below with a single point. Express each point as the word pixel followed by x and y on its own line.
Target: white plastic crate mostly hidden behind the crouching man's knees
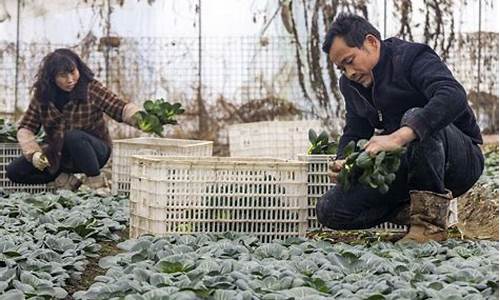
pixel 318 183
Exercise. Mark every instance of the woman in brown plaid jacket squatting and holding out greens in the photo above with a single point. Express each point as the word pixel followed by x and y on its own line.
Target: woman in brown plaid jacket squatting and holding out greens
pixel 69 104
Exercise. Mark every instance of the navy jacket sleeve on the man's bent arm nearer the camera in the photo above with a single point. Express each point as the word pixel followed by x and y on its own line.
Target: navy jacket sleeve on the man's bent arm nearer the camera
pixel 447 98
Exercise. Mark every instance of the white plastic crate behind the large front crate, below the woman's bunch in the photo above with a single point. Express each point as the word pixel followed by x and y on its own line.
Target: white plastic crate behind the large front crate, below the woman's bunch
pixel 124 149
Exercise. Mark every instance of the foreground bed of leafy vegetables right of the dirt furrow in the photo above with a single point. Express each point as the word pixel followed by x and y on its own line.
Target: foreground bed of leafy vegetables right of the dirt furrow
pixel 228 266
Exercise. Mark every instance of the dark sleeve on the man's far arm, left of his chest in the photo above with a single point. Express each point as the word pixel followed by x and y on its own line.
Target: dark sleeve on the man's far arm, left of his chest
pixel 356 127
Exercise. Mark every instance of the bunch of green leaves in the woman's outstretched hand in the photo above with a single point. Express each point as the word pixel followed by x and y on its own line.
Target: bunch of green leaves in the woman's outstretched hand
pixel 158 113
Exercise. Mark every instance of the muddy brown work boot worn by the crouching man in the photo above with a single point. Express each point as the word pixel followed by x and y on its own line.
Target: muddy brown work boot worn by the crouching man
pixel 428 216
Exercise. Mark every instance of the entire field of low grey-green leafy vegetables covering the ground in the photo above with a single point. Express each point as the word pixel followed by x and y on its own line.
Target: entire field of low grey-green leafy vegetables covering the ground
pixel 73 246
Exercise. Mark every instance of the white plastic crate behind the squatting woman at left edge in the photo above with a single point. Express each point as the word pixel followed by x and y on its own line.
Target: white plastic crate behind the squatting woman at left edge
pixel 8 153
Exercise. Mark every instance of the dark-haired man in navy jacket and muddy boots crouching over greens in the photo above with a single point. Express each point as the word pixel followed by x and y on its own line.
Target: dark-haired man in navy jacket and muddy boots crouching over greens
pixel 405 92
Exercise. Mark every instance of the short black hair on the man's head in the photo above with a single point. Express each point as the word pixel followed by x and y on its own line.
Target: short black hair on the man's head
pixel 352 28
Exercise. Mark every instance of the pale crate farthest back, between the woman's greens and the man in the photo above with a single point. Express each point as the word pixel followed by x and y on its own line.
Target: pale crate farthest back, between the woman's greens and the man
pixel 280 139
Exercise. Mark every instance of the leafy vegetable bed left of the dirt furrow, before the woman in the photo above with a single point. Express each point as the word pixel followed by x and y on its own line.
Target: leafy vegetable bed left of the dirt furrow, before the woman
pixel 47 240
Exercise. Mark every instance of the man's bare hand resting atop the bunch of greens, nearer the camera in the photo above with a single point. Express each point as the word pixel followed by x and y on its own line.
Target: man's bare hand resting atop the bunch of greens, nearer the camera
pixel 390 142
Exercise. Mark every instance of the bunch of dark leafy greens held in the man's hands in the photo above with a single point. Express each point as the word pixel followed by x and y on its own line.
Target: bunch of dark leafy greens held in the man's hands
pixel 377 172
